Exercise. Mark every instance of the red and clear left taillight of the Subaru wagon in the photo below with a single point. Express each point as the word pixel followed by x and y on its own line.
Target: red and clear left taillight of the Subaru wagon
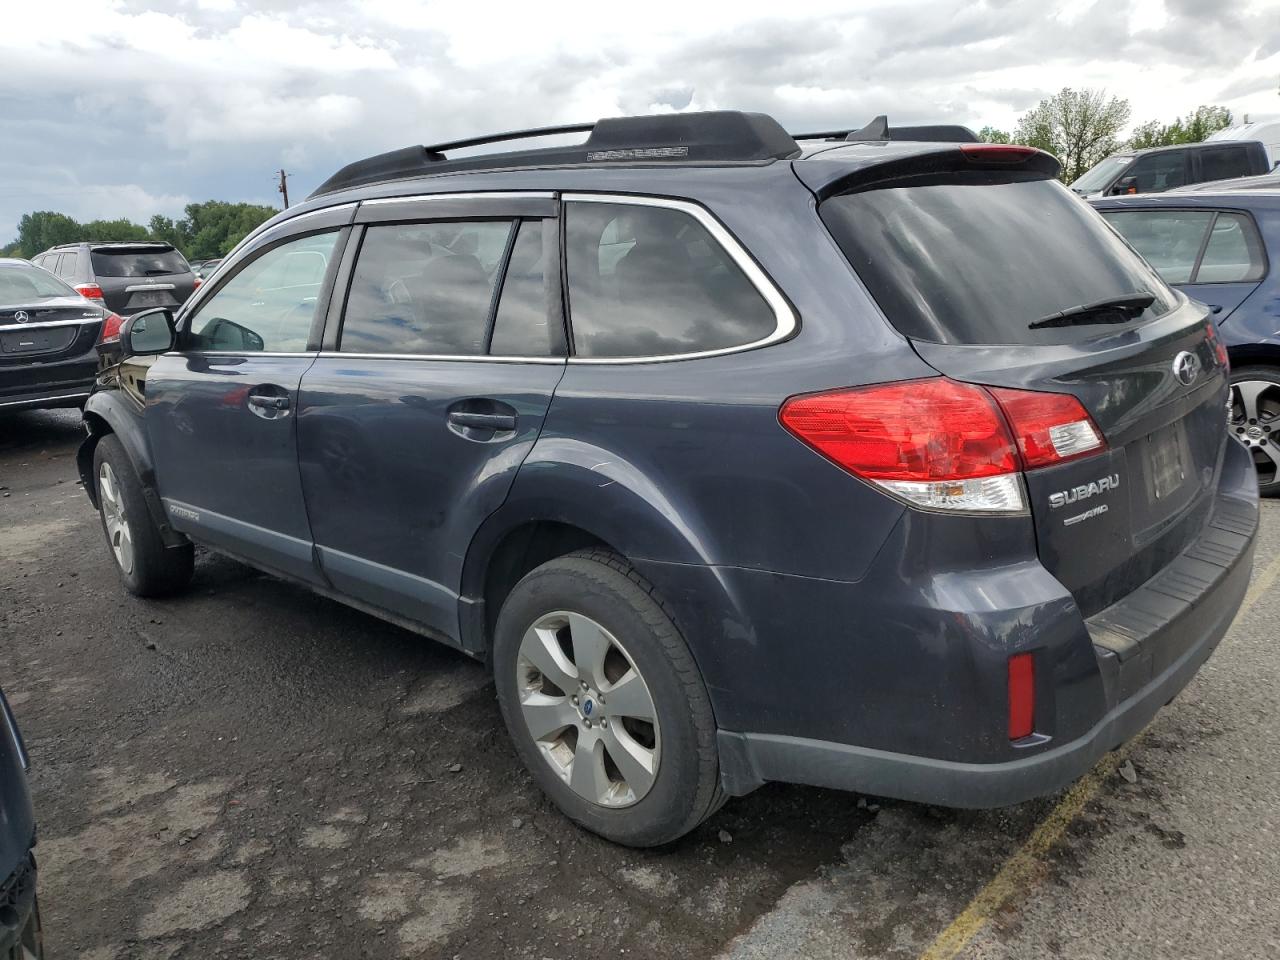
pixel 944 445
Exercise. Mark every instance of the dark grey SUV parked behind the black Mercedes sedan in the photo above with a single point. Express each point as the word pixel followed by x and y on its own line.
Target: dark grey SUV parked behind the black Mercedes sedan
pixel 125 277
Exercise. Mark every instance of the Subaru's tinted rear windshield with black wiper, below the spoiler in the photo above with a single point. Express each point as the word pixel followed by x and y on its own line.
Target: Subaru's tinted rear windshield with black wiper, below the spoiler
pixel 979 262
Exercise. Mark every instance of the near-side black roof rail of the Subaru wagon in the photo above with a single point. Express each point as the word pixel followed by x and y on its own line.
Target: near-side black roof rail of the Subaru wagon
pixel 715 136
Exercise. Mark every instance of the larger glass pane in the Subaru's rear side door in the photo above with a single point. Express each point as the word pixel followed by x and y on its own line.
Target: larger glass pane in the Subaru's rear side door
pixel 424 289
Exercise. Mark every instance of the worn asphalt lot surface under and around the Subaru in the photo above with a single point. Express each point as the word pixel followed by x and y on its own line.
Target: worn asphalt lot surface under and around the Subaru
pixel 252 771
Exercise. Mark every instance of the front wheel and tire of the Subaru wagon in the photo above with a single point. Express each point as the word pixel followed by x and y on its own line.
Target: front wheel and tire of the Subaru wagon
pixel 147 566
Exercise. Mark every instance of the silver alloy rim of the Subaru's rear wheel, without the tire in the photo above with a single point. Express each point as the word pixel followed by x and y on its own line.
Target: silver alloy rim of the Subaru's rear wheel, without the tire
pixel 589 710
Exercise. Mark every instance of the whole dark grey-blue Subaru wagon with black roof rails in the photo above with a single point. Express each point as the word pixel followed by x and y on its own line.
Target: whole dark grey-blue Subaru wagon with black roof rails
pixel 879 463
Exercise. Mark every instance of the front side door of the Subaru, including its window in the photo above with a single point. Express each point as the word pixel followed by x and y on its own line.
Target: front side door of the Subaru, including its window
pixel 222 409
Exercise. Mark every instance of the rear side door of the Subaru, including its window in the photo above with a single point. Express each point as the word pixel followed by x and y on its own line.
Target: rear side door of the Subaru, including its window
pixel 429 395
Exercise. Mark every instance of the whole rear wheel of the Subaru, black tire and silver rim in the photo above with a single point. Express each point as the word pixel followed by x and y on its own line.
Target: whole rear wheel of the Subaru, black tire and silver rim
pixel 660 780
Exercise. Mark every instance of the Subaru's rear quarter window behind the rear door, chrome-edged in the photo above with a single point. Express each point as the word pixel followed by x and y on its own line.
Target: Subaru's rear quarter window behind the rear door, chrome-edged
pixel 652 282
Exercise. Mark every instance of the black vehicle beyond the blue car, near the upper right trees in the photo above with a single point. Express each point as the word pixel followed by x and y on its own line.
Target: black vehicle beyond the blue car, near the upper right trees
pixel 1158 170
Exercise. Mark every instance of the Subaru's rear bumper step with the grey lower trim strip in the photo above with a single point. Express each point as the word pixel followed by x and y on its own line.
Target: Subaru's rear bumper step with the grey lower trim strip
pixel 1148 648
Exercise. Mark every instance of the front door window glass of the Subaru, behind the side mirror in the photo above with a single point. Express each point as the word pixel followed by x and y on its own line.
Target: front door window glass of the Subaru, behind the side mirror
pixel 271 304
